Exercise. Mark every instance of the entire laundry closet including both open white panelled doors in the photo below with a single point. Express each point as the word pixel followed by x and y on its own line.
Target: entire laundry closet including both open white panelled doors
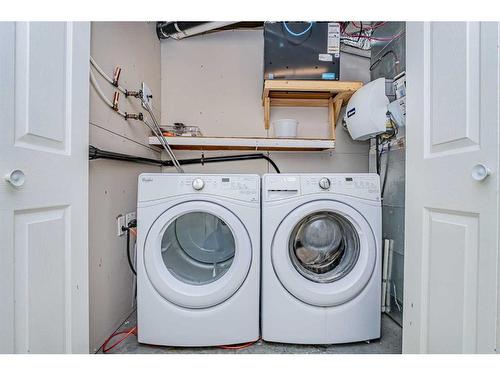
pixel 259 122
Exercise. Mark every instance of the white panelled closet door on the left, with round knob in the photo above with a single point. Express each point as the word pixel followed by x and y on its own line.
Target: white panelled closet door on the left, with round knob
pixel 44 187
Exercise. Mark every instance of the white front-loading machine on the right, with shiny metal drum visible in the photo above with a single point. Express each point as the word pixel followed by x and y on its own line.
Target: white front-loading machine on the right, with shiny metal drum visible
pixel 321 258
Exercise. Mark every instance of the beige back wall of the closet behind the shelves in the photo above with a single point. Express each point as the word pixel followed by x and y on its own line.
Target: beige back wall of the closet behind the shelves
pixel 215 81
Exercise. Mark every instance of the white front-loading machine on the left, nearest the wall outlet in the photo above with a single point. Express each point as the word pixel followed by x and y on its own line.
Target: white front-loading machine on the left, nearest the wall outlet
pixel 198 259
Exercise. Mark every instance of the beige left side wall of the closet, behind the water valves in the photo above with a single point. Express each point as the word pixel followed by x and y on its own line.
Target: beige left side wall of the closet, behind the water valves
pixel 113 185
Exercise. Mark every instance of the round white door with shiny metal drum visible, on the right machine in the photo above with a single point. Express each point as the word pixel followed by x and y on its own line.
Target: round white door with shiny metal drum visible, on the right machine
pixel 324 253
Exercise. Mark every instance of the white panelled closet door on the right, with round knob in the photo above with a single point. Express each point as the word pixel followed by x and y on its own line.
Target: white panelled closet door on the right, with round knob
pixel 452 188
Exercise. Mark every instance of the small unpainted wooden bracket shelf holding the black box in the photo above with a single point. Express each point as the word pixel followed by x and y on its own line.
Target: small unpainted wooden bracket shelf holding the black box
pixel 295 93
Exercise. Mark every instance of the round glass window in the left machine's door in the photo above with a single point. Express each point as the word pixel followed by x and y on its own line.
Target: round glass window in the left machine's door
pixel 198 247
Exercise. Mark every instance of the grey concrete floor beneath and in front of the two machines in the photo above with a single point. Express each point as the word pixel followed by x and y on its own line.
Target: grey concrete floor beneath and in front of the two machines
pixel 390 343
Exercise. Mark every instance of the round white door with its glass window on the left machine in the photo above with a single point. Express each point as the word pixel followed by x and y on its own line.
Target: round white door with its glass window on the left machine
pixel 197 254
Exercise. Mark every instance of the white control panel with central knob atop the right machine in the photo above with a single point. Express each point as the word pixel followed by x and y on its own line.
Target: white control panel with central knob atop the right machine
pixel 360 185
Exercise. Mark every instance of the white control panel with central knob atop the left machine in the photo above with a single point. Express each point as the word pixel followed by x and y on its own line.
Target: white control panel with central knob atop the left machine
pixel 161 185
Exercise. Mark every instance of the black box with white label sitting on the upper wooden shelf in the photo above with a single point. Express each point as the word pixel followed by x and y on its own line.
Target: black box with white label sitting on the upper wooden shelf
pixel 302 50
